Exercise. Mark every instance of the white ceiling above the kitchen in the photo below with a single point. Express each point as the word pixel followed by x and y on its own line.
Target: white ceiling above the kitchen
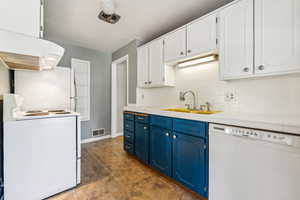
pixel 75 21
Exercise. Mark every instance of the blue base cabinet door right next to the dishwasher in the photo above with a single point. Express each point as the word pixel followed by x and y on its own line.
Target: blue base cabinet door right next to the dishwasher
pixel 189 162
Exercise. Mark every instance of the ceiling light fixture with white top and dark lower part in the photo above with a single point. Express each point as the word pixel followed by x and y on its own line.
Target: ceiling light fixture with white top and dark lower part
pixel 108 13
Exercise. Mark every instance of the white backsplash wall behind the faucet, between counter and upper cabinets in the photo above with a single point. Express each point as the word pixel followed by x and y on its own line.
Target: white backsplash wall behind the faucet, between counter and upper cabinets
pixel 278 95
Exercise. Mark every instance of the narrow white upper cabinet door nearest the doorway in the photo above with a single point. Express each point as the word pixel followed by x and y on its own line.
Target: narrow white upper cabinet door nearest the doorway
pixel 143 66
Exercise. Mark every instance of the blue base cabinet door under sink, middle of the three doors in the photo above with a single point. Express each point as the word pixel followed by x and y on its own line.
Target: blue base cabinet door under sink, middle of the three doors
pixel 161 150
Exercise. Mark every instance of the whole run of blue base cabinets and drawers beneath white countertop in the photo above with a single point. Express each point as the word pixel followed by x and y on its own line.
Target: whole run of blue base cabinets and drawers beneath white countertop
pixel 175 147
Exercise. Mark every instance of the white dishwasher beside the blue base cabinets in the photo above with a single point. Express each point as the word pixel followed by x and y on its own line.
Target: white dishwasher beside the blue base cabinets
pixel 248 164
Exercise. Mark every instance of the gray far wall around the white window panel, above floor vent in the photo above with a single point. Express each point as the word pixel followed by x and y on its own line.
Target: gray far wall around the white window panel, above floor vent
pixel 100 85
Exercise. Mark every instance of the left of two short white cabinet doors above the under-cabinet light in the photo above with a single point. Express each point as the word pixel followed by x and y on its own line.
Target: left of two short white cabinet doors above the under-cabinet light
pixel 175 45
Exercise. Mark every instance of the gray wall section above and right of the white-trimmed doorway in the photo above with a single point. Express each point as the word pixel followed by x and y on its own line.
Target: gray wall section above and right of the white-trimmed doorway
pixel 130 50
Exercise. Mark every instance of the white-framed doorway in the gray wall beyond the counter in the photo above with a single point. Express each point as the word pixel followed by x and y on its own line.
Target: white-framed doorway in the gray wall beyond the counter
pixel 119 94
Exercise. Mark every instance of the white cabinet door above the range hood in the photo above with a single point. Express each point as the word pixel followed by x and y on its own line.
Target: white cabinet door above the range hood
pixel 21 16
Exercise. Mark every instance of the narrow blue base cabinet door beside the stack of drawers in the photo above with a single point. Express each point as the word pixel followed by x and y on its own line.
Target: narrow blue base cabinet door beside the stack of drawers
pixel 142 142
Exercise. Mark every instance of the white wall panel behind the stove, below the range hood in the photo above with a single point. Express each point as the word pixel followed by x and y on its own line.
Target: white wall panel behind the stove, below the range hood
pixel 44 90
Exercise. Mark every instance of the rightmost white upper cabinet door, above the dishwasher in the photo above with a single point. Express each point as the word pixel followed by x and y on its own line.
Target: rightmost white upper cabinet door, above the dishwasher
pixel 277 33
